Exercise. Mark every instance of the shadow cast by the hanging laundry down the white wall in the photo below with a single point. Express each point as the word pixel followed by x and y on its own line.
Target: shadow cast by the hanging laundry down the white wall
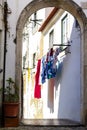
pixel 54 82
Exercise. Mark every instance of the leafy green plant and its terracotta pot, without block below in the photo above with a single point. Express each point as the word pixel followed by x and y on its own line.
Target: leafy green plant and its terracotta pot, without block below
pixel 11 102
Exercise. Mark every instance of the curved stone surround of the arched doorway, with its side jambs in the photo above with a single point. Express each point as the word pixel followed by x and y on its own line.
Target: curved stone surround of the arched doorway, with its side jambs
pixel 31 8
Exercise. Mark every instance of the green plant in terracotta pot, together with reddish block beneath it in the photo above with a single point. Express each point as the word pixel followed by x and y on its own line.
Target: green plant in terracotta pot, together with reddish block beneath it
pixel 11 102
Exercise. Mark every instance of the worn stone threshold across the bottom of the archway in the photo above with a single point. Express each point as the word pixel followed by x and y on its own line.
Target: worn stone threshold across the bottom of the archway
pixel 50 122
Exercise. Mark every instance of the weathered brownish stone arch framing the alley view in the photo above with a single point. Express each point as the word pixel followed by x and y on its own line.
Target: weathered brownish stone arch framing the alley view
pixel 77 12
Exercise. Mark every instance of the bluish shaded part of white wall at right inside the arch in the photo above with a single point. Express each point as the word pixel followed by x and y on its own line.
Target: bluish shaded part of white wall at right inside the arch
pixel 70 84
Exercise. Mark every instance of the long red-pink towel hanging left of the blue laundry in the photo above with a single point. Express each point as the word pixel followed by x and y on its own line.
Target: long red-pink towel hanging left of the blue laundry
pixel 37 90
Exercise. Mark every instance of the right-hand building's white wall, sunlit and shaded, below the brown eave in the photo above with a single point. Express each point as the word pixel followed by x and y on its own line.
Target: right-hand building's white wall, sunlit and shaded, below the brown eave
pixel 67 88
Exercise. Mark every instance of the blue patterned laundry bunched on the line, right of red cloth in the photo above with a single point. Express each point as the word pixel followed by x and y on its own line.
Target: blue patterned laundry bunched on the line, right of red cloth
pixel 50 64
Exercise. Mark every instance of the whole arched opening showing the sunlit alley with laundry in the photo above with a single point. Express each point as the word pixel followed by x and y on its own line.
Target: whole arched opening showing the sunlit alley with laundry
pixel 51 43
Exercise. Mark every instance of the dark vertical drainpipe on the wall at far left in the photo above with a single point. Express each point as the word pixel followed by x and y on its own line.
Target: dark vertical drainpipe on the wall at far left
pixel 4 61
